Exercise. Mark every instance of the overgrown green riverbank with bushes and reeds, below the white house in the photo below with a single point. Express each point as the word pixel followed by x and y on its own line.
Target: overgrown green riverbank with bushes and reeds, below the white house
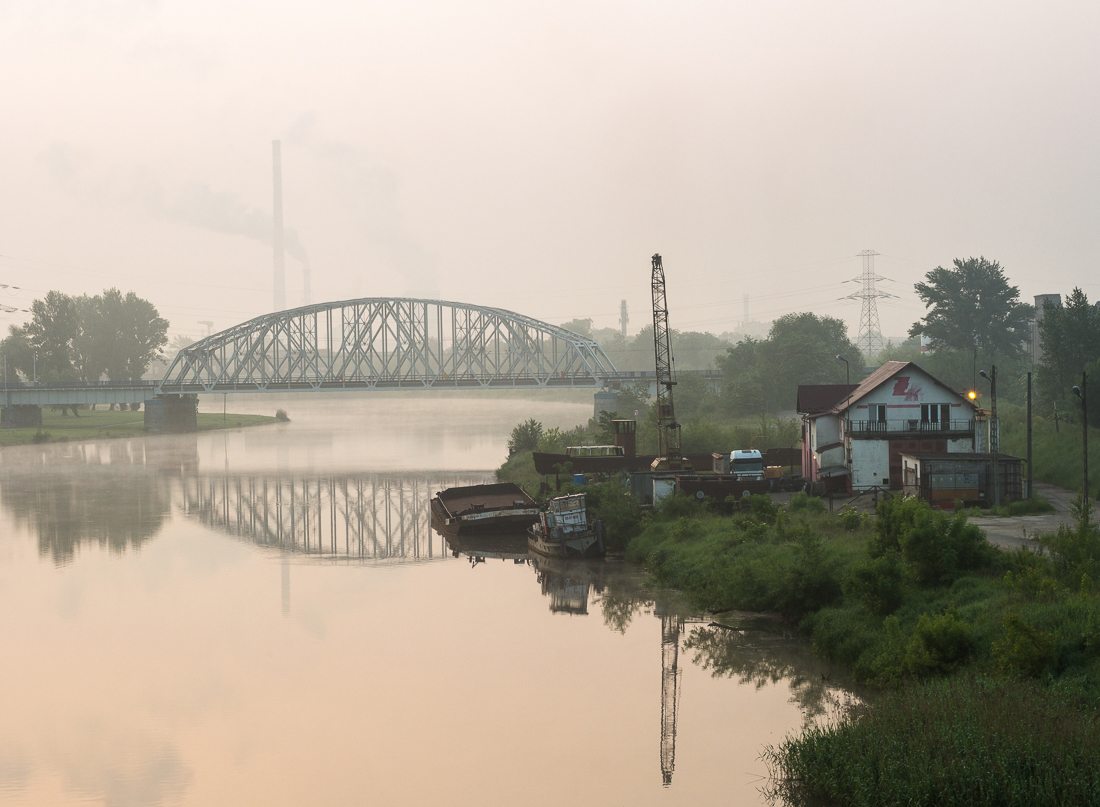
pixel 989 661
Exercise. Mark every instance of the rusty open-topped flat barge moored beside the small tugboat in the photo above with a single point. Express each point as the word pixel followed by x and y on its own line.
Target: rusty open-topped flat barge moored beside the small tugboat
pixel 503 507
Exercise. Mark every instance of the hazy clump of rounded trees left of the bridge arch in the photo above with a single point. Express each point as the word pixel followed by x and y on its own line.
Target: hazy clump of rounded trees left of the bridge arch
pixel 86 339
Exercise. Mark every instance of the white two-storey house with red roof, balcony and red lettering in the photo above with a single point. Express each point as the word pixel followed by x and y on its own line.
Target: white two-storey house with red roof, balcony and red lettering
pixel 853 439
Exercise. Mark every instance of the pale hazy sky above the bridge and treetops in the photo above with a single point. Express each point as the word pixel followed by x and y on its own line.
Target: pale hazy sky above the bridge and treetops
pixel 534 156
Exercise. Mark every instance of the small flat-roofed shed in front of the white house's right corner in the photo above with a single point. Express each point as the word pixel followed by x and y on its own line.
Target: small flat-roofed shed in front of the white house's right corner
pixel 944 479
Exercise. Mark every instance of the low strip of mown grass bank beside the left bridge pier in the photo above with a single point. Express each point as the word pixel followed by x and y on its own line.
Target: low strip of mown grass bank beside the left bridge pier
pixel 102 425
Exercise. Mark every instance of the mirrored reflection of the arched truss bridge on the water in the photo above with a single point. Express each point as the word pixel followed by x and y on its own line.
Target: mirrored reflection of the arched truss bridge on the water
pixel 355 518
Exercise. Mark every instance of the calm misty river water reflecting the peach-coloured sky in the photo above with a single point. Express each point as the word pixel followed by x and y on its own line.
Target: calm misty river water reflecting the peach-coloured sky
pixel 266 617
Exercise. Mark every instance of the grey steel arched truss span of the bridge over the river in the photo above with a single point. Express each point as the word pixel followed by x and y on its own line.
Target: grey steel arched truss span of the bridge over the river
pixel 378 344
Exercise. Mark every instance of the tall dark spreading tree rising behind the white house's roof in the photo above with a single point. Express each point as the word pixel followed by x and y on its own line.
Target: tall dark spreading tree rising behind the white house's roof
pixel 973 307
